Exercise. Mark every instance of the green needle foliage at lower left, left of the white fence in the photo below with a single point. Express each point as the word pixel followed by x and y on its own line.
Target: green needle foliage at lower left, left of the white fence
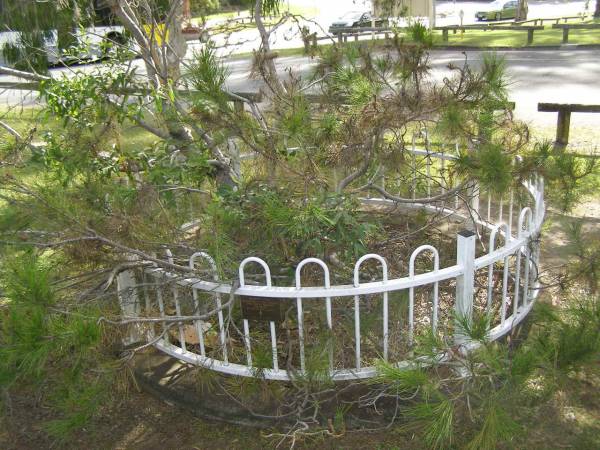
pixel 48 350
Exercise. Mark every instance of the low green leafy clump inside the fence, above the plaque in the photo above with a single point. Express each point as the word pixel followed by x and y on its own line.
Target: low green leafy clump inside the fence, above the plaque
pixel 297 227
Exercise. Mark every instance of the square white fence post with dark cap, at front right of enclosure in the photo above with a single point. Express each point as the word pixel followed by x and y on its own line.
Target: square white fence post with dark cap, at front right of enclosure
pixel 465 283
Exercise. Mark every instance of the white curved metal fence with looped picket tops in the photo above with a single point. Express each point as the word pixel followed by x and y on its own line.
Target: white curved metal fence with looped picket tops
pixel 258 328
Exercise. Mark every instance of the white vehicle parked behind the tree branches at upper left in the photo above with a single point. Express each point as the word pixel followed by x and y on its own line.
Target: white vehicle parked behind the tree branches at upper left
pixel 96 43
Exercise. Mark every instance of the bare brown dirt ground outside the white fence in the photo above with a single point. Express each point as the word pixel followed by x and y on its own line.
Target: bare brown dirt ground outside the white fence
pixel 571 419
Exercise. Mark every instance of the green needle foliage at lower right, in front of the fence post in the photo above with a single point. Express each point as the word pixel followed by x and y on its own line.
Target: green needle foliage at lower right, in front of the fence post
pixel 481 401
